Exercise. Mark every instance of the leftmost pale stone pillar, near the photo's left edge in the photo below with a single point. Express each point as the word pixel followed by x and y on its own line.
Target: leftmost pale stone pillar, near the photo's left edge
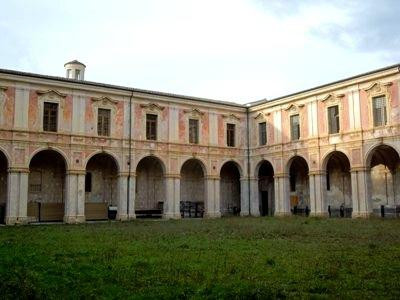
pixel 17 196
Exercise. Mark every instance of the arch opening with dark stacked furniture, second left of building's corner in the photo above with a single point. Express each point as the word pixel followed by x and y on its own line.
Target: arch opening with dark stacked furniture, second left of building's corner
pixel 193 188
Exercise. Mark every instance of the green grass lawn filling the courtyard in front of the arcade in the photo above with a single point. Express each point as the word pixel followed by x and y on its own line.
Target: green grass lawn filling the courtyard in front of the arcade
pixel 222 258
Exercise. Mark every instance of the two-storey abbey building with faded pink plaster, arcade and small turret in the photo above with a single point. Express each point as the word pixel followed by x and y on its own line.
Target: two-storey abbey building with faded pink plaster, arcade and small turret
pixel 73 150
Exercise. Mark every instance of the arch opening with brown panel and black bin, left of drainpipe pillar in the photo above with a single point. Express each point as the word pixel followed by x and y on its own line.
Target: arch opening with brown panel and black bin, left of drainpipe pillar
pixel 101 186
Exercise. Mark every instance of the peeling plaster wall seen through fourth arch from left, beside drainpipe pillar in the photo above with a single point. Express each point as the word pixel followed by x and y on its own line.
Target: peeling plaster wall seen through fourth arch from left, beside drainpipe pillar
pixel 150 185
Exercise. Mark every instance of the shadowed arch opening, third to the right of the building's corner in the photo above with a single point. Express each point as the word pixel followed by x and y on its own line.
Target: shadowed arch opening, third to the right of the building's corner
pixel 337 184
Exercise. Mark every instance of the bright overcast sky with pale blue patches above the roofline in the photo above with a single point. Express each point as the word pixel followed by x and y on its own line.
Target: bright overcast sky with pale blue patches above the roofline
pixel 229 50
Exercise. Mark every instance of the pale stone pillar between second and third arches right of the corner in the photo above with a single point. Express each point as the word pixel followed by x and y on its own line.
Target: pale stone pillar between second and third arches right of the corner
pixel 317 196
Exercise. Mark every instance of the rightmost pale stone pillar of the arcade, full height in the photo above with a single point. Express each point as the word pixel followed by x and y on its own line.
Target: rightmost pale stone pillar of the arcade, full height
pixel 361 192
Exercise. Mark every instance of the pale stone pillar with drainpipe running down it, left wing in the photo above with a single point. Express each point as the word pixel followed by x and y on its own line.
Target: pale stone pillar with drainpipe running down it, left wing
pixel 124 212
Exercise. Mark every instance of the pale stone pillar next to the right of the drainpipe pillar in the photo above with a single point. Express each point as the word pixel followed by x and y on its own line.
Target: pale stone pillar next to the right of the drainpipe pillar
pixel 173 197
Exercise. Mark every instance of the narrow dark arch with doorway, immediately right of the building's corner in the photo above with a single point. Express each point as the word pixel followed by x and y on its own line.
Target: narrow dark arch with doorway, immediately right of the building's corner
pixel 266 187
